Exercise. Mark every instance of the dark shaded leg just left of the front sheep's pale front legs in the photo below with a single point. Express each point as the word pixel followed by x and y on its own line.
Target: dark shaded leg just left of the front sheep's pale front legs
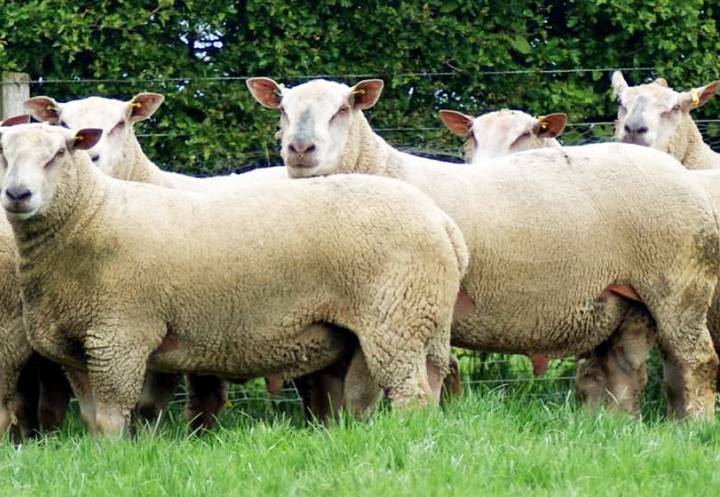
pixel 54 395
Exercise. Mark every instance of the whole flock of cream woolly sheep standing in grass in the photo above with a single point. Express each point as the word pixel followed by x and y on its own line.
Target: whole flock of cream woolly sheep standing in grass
pixel 354 267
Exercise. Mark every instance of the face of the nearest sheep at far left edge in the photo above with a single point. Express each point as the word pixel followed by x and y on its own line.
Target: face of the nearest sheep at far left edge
pixel 32 156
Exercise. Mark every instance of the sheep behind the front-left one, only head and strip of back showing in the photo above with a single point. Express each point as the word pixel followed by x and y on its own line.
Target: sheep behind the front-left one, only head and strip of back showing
pixel 118 152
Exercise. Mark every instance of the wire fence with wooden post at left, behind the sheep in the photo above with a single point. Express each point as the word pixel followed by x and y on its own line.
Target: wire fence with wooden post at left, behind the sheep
pixel 479 369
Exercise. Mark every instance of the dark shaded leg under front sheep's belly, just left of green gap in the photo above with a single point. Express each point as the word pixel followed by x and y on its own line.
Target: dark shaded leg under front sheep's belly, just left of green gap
pixel 206 398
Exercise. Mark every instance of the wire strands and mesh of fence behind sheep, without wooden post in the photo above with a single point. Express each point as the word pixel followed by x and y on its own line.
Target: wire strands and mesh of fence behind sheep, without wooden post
pixel 478 370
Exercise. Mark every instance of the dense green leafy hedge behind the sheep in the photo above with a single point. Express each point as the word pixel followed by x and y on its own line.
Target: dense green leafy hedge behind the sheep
pixel 215 126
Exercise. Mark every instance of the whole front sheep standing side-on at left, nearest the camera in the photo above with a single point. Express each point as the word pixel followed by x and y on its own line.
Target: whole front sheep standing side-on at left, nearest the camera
pixel 110 298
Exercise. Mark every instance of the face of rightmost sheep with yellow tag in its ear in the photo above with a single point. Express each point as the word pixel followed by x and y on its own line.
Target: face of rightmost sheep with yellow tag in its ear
pixel 649 114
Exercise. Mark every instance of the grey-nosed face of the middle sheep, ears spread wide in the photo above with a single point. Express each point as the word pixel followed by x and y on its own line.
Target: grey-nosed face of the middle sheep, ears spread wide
pixel 316 119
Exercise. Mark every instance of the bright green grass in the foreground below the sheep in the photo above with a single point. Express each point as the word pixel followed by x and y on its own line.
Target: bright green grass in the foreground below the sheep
pixel 491 442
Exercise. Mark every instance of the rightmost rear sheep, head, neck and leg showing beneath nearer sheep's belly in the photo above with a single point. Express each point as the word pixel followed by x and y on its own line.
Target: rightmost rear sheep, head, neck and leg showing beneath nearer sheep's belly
pixel 656 116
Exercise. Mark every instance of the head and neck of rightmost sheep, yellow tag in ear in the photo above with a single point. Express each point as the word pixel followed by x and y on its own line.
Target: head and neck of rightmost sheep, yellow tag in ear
pixel 656 116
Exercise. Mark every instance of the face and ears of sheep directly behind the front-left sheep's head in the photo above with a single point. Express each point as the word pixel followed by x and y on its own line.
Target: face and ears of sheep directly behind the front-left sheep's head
pixel 114 117
